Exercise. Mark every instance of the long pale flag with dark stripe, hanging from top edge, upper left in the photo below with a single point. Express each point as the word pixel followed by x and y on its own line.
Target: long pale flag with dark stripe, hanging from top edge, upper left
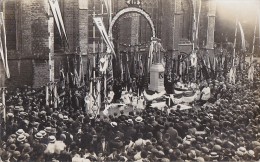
pixel 54 4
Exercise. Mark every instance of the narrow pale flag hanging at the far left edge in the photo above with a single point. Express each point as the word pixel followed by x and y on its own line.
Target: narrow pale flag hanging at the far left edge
pixel 3 48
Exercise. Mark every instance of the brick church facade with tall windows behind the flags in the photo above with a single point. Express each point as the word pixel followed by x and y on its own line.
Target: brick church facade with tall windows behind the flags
pixel 28 32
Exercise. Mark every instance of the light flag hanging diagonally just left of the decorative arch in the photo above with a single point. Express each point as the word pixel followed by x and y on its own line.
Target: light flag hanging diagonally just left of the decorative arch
pixel 99 22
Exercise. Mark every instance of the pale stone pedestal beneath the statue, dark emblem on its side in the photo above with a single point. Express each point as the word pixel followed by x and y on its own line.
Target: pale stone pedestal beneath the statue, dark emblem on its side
pixel 157 77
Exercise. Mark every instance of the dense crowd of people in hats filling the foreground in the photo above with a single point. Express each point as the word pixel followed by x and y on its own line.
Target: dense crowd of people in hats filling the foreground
pixel 226 130
